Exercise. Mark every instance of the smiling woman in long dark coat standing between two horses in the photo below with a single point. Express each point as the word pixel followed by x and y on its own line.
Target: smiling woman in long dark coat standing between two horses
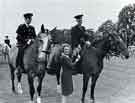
pixel 67 68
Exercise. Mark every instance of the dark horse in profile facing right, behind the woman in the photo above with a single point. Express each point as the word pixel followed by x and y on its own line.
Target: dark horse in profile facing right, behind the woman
pixel 91 62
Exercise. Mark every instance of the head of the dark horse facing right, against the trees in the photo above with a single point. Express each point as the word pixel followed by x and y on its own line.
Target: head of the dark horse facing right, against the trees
pixel 117 45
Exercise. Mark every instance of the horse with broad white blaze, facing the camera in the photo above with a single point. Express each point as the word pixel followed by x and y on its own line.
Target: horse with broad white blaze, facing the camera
pixel 35 61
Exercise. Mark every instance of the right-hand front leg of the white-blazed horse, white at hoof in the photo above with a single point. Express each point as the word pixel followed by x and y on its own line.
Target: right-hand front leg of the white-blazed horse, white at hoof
pixel 39 88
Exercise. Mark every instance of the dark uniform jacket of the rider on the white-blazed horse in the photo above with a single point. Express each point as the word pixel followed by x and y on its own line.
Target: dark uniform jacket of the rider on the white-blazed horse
pixel 24 33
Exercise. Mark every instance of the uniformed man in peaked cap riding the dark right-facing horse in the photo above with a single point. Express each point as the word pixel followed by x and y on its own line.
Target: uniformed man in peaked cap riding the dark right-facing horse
pixel 79 37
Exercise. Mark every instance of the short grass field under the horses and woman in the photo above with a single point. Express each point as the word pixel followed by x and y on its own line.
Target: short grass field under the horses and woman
pixel 115 85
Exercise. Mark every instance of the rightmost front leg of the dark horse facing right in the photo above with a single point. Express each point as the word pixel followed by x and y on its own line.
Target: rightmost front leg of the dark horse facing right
pixel 93 84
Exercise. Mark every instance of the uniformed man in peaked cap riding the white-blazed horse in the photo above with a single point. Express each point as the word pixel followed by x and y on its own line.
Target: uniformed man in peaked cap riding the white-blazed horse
pixel 25 35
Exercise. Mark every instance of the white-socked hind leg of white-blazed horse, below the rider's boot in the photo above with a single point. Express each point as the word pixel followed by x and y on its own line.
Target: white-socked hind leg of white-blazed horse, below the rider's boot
pixel 19 86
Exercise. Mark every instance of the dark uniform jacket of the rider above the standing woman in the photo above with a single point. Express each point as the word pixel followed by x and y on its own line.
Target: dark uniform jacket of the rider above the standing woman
pixel 78 35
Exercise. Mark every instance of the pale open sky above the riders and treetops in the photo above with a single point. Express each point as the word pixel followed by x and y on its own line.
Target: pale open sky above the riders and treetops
pixel 58 13
